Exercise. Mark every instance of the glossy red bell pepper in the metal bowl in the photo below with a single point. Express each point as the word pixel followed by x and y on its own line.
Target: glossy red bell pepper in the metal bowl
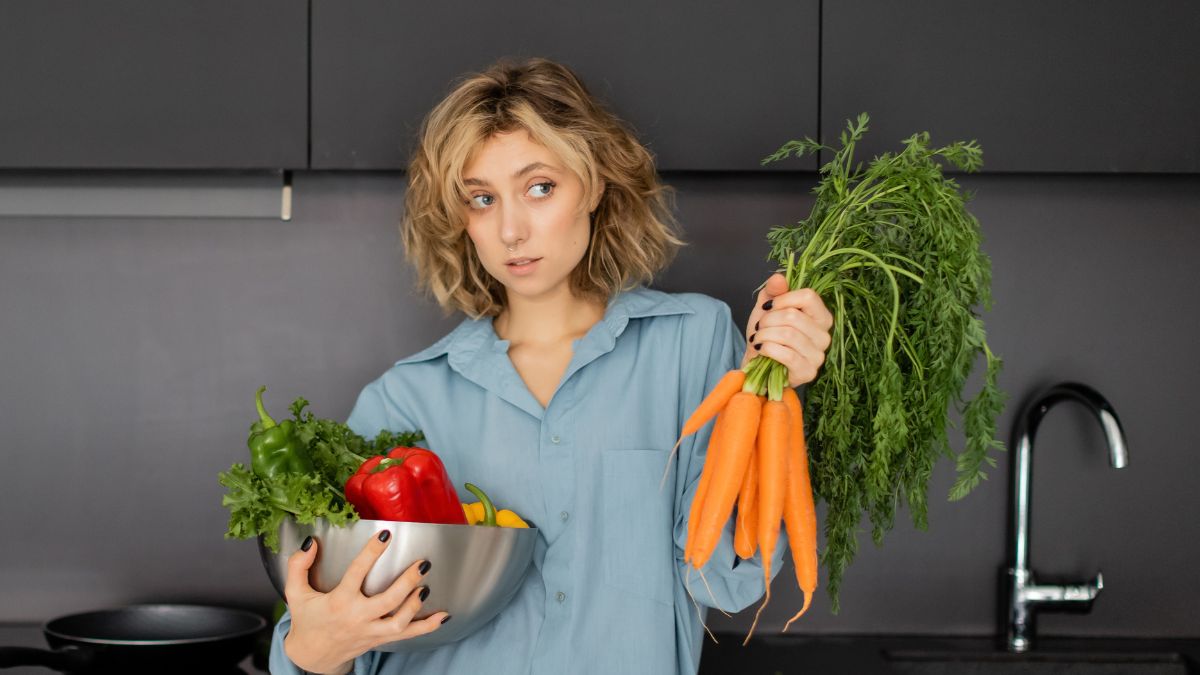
pixel 409 485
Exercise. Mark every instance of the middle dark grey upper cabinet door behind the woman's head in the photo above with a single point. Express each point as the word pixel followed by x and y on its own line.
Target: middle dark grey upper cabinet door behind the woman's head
pixel 707 86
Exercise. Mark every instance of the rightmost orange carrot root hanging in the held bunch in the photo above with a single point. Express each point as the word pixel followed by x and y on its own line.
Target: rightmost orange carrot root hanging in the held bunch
pixel 800 513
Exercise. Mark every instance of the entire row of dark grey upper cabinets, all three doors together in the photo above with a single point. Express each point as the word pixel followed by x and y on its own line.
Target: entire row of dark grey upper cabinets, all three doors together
pixel 1071 86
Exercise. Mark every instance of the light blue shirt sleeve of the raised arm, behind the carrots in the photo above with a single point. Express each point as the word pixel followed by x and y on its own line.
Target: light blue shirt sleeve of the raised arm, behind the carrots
pixel 725 582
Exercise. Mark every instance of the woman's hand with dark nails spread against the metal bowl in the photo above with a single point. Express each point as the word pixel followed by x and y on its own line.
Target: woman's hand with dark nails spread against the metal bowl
pixel 331 630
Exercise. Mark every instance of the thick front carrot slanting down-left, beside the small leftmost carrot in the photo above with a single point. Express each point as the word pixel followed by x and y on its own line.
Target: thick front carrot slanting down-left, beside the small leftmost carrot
pixel 731 457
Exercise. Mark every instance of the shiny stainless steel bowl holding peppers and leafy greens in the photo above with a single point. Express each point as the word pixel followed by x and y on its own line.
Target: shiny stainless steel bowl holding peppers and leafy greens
pixel 475 574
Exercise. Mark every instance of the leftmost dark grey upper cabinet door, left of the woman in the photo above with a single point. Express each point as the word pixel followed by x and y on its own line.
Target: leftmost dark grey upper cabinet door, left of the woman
pixel 135 85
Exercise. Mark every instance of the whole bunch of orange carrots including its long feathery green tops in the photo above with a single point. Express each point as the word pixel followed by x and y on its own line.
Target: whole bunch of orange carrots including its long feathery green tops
pixel 895 252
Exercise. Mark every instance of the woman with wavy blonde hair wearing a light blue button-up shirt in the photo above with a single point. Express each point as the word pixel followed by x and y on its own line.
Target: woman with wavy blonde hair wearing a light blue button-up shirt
pixel 538 214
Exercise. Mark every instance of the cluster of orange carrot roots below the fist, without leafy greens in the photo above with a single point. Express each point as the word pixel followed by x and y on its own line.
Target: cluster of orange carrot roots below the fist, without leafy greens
pixel 757 459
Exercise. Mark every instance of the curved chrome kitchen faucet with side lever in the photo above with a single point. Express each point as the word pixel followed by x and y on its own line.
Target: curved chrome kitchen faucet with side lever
pixel 1023 594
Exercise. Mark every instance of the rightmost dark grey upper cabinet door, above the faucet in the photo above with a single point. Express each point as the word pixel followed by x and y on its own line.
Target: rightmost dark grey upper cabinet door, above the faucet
pixel 1070 86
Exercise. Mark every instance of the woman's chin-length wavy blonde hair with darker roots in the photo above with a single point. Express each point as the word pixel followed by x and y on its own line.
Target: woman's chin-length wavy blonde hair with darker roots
pixel 634 232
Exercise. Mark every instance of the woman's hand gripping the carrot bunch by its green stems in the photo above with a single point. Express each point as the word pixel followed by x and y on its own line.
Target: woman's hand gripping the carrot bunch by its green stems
pixel 791 327
